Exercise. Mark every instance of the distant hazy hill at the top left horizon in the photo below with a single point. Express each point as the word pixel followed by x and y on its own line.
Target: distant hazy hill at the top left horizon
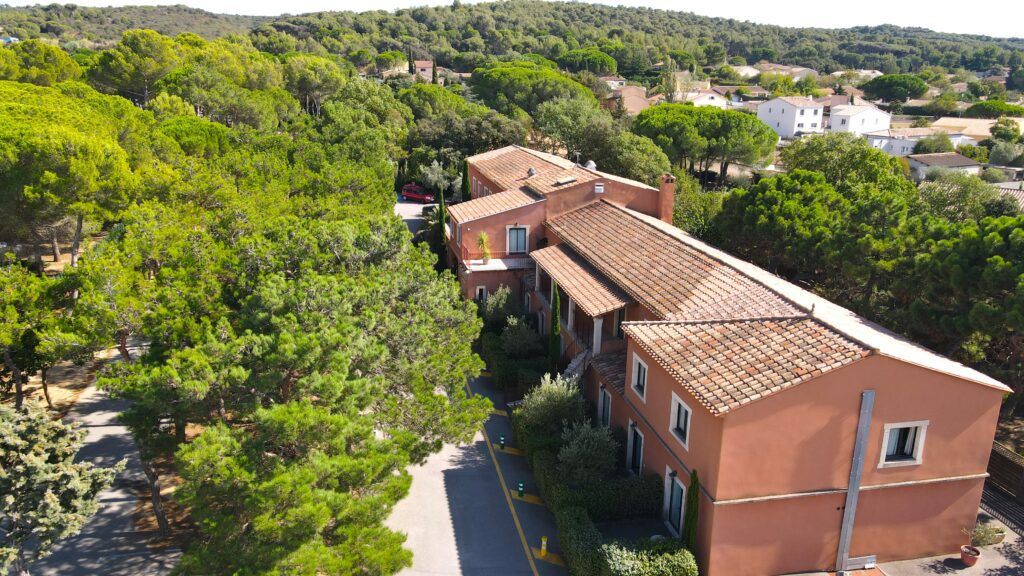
pixel 88 27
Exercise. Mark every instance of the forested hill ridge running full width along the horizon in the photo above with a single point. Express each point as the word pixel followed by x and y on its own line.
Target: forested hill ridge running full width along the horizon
pixel 461 35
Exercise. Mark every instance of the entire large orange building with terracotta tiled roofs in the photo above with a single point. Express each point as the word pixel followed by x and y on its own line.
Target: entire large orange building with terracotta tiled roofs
pixel 822 441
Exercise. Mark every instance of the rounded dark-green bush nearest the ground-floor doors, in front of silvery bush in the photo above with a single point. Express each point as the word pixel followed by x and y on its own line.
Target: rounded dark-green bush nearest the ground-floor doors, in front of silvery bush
pixel 587 456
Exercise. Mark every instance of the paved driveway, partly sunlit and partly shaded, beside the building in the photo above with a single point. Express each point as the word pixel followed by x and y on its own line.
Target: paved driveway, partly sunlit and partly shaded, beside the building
pixel 462 516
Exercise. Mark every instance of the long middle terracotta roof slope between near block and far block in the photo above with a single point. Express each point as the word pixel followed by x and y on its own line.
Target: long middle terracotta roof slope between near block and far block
pixel 668 277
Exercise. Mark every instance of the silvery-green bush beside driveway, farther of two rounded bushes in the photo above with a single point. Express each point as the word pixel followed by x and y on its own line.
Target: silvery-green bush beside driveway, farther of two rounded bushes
pixel 546 410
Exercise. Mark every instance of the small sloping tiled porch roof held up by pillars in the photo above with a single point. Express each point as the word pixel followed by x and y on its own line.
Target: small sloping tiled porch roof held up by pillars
pixel 594 294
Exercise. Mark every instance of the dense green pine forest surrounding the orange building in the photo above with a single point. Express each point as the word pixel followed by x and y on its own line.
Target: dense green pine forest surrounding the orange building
pixel 225 191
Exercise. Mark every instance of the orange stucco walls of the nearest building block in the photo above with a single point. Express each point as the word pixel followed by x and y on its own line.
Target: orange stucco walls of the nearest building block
pixel 801 442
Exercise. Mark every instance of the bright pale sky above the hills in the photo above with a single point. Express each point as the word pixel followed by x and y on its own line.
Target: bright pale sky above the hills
pixel 995 18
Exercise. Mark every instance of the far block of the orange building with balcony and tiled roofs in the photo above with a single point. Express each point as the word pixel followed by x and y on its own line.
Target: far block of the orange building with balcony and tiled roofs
pixel 515 191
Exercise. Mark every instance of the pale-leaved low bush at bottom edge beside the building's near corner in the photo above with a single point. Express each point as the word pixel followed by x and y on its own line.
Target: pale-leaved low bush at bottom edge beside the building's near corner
pixel 648 558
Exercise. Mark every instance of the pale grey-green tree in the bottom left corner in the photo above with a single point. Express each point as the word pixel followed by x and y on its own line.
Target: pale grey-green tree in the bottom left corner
pixel 46 497
